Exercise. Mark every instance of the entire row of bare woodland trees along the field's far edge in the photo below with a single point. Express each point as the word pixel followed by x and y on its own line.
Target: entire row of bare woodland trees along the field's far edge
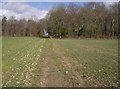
pixel 93 20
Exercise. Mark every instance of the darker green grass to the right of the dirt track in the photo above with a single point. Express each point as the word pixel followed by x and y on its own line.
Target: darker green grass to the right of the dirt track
pixel 99 57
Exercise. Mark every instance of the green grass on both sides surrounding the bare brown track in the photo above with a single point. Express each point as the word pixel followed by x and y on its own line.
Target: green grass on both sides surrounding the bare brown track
pixel 97 59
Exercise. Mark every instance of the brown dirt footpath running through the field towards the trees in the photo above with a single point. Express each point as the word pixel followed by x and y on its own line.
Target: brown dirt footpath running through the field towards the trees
pixel 58 69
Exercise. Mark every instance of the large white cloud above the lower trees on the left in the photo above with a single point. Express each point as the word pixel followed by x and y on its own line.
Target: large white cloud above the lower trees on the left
pixel 21 10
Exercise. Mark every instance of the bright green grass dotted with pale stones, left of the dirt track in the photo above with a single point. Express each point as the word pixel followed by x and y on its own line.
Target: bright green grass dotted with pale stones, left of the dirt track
pixel 18 55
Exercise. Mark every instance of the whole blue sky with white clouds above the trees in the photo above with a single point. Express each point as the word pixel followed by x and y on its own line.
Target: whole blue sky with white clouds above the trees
pixel 27 8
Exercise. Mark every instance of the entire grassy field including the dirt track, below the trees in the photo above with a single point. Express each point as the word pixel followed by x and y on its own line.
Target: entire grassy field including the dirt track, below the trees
pixel 35 62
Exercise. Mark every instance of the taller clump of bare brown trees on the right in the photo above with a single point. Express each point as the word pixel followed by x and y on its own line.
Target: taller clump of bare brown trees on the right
pixel 92 20
